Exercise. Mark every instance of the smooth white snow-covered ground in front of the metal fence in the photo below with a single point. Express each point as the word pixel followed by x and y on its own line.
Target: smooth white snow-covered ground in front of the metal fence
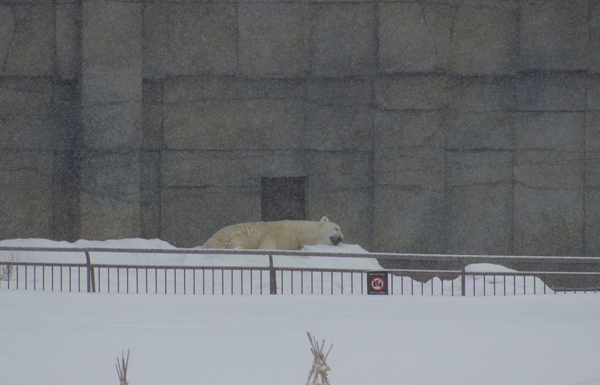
pixel 74 338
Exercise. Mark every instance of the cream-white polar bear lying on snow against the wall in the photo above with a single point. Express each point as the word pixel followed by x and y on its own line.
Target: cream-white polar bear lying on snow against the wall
pixel 277 235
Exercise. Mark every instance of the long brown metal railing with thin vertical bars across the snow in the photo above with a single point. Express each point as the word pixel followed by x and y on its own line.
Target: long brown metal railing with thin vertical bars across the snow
pixel 455 278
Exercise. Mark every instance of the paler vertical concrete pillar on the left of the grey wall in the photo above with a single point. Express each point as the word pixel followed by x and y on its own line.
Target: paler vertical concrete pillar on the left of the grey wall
pixel 111 110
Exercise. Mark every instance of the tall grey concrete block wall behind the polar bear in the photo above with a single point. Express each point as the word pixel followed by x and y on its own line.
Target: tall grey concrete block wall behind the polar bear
pixel 432 127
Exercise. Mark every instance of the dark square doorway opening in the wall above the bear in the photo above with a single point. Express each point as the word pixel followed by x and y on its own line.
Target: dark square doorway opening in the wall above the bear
pixel 283 198
